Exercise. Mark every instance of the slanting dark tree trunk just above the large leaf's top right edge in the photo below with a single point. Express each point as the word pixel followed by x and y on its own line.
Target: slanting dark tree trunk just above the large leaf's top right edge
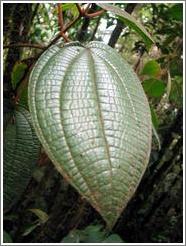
pixel 119 26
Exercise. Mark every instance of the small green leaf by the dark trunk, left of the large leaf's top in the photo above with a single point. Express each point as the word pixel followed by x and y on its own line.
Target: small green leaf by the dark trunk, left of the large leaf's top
pixel 17 73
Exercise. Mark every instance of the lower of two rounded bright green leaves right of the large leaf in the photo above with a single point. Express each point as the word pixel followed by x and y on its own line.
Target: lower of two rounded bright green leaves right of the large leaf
pixel 154 87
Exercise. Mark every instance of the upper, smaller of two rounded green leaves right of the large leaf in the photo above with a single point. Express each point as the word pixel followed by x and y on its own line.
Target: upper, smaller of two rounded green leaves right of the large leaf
pixel 151 68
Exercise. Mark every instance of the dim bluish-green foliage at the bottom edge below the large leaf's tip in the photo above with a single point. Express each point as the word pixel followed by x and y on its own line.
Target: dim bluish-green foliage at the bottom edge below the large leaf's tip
pixel 91 234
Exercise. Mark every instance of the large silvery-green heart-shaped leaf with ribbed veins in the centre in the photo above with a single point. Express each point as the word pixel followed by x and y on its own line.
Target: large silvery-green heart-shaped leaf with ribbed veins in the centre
pixel 93 119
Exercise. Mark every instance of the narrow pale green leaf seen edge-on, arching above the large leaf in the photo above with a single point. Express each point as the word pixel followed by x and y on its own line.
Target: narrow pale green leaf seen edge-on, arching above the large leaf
pixel 129 21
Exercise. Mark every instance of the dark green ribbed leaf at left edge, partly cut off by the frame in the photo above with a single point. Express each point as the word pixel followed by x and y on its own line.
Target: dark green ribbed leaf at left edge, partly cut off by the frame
pixel 21 149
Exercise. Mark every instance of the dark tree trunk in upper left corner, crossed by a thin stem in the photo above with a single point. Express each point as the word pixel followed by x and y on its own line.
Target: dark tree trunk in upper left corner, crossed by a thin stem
pixel 21 19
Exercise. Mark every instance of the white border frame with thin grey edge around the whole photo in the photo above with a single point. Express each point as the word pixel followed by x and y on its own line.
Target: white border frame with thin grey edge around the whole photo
pixel 183 2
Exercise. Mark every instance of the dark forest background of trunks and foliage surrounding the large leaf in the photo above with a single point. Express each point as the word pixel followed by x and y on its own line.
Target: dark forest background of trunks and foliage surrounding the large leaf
pixel 48 209
